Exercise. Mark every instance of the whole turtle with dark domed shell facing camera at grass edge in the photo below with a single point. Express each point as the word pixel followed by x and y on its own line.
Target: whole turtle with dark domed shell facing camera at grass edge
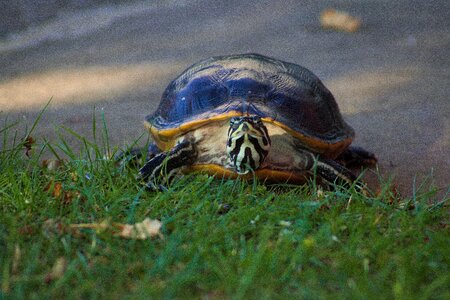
pixel 250 116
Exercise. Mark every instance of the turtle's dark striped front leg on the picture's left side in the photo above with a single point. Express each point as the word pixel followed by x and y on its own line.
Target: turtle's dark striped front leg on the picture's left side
pixel 159 170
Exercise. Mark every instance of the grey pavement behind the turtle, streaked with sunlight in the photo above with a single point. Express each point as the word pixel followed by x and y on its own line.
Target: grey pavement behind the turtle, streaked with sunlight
pixel 391 78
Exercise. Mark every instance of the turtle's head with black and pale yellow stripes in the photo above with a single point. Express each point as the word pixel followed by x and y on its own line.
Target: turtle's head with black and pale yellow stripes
pixel 248 143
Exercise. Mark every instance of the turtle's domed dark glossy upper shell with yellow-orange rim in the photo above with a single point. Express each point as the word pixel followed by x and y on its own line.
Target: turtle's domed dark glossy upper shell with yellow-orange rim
pixel 281 93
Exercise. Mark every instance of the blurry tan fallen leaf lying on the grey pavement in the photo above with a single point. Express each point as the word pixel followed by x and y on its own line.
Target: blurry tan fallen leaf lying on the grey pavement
pixel 339 20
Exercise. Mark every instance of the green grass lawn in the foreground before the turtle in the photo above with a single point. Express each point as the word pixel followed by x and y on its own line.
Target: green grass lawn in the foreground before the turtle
pixel 221 238
